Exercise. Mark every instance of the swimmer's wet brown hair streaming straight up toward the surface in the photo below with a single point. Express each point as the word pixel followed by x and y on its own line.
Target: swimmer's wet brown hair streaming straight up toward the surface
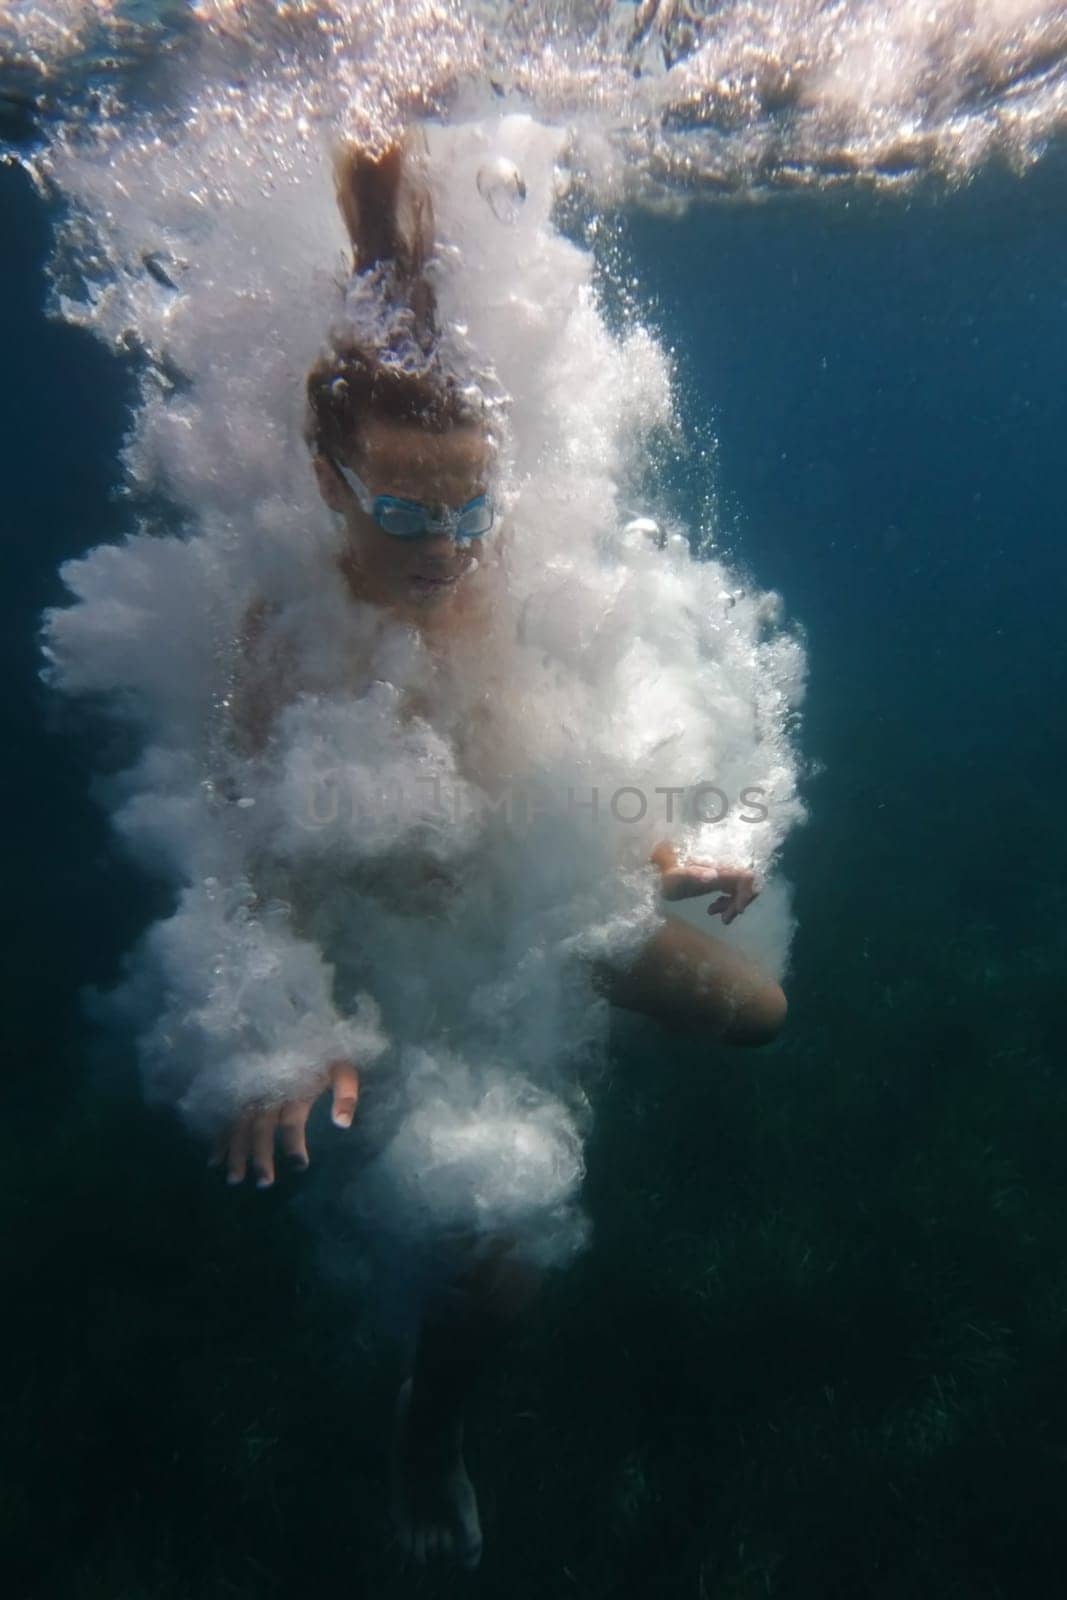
pixel 390 215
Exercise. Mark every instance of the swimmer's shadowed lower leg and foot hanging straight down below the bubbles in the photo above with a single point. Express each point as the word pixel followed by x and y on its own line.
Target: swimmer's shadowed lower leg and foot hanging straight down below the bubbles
pixel 465 1327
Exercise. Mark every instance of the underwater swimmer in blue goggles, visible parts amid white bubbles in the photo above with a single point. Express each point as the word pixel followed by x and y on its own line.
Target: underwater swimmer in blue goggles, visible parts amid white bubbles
pixel 406 458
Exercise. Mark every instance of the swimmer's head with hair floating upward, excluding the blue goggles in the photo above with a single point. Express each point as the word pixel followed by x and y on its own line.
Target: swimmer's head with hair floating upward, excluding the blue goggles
pixel 382 401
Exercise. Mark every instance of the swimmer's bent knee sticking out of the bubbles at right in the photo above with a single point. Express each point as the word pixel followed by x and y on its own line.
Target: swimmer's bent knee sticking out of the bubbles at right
pixel 693 982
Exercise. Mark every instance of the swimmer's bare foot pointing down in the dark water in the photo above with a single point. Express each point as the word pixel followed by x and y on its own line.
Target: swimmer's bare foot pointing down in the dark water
pixel 434 1505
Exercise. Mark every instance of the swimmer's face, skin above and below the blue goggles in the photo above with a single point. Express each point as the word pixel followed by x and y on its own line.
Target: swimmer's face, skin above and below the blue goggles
pixel 439 470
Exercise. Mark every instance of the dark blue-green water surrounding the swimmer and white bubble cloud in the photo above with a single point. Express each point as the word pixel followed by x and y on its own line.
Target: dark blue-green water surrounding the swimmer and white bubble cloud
pixel 818 1348
